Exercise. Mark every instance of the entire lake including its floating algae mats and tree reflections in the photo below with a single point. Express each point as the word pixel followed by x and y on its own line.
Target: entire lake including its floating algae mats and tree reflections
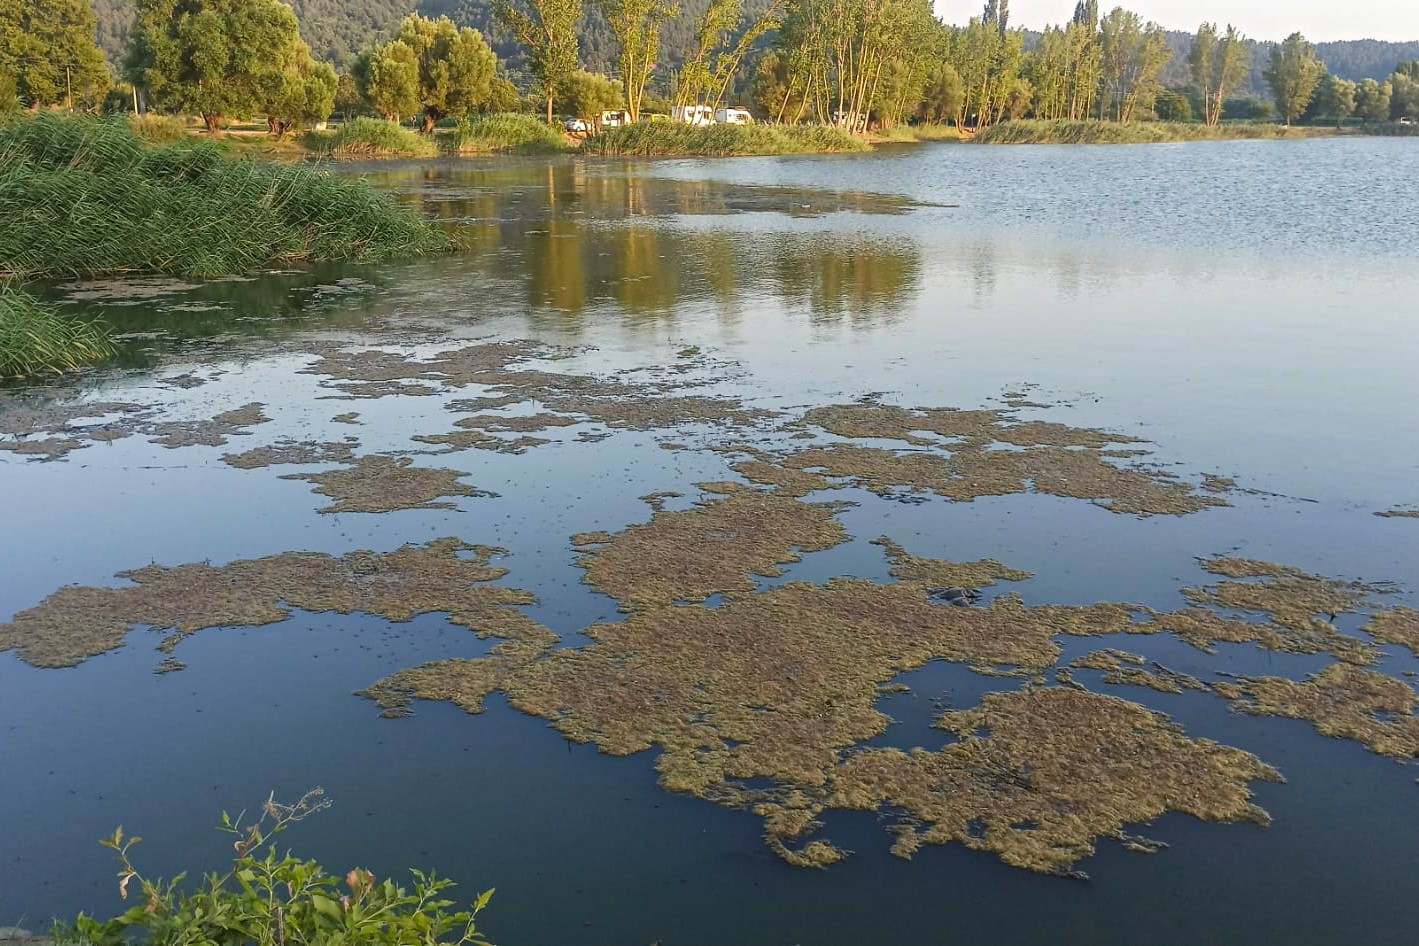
pixel 1245 310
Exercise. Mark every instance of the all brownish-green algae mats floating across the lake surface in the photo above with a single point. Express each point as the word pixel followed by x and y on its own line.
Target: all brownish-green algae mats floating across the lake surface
pixel 764 700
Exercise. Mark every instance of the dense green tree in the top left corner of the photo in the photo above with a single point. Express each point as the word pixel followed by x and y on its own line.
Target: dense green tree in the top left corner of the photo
pixel 49 55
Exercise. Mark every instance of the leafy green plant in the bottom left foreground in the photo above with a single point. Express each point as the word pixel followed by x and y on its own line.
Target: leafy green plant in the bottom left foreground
pixel 277 900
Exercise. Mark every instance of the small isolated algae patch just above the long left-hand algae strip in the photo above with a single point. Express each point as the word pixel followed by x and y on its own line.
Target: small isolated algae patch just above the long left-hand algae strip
pixel 385 484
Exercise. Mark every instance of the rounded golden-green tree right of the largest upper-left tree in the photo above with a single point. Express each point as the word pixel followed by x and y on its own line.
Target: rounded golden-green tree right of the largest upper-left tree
pixel 435 69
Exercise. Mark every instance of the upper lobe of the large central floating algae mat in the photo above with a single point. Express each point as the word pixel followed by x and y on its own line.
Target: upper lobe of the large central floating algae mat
pixel 717 547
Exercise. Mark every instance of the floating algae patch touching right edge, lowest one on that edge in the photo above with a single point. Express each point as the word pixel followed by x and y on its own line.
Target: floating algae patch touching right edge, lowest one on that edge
pixel 1342 701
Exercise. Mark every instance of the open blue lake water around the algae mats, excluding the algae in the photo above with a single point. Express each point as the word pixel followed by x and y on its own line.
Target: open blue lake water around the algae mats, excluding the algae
pixel 1251 310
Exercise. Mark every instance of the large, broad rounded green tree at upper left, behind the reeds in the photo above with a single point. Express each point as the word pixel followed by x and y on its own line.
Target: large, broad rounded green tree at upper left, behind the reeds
pixel 216 57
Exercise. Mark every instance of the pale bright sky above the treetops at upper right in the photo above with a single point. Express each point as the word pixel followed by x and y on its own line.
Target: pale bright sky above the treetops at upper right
pixel 1259 19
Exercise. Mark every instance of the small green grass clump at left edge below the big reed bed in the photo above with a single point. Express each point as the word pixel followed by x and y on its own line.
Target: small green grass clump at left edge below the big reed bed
pixel 36 340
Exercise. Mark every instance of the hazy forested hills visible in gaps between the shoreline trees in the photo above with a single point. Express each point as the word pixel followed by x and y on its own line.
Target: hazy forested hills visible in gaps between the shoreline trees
pixel 340 29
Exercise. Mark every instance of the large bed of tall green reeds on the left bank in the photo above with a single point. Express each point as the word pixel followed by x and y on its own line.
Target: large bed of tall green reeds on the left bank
pixel 87 198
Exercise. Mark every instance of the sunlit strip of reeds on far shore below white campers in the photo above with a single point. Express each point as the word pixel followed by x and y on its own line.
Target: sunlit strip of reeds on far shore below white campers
pixel 655 140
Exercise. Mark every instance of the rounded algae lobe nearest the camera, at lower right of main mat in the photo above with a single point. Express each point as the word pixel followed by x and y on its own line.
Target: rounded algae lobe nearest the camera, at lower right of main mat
pixel 1041 775
